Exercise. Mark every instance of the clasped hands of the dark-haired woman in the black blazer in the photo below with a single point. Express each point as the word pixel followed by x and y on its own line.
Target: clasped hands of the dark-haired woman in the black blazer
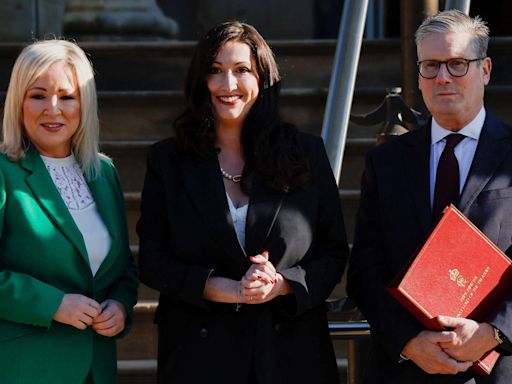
pixel 261 282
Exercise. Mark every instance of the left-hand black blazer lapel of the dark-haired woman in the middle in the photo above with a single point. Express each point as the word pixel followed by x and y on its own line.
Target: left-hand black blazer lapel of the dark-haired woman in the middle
pixel 203 181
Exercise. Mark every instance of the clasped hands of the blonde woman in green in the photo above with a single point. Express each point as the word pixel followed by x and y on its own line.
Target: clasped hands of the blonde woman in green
pixel 79 311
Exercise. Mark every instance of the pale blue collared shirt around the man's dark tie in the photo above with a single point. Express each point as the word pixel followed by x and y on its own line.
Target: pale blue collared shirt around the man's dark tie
pixel 464 151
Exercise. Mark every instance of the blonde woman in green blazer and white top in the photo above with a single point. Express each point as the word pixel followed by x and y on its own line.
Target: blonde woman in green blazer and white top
pixel 67 279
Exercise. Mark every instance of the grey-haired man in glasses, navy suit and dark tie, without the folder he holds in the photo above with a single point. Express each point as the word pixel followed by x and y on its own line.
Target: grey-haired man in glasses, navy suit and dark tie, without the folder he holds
pixel 404 188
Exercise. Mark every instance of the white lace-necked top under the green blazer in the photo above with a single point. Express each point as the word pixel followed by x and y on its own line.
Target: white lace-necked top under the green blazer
pixel 70 182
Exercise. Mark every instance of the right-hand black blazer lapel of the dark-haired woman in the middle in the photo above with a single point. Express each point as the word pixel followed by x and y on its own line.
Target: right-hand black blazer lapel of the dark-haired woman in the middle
pixel 264 207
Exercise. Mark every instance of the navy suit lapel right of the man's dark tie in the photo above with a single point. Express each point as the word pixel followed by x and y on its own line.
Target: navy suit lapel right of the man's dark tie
pixel 490 152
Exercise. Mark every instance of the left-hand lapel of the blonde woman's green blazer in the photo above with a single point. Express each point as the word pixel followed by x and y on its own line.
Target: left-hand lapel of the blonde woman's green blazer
pixel 47 195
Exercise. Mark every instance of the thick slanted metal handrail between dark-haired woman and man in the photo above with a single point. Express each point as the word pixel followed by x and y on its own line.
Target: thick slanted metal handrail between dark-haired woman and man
pixel 343 78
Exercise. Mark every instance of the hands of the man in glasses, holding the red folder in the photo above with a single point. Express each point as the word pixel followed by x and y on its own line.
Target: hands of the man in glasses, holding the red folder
pixel 450 352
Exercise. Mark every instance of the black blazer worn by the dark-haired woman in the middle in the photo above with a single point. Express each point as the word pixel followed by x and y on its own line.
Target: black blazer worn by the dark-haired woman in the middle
pixel 186 233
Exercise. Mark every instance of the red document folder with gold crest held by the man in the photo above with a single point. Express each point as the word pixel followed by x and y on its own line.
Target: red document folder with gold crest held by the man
pixel 458 272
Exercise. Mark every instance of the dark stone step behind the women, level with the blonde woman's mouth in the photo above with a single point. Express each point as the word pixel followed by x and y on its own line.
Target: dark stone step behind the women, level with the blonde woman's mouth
pixel 149 115
